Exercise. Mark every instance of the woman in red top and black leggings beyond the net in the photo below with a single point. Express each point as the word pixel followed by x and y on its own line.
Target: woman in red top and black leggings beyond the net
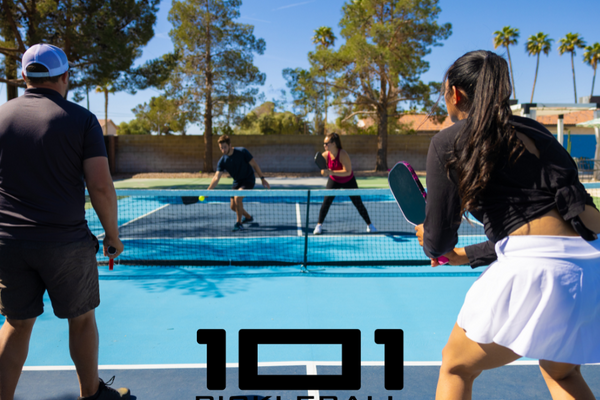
pixel 340 177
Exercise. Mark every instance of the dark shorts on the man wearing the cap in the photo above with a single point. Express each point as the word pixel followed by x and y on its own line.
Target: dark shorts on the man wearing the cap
pixel 68 271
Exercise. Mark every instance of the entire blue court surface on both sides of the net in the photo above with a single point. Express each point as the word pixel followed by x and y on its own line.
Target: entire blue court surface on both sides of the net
pixel 151 312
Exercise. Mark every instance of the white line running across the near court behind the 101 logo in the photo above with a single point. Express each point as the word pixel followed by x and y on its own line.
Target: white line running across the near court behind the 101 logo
pixel 311 366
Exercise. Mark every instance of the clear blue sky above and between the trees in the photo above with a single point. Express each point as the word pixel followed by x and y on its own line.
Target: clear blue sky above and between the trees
pixel 287 27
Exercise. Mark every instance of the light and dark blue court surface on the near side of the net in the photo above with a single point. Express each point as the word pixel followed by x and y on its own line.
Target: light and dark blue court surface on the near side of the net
pixel 149 318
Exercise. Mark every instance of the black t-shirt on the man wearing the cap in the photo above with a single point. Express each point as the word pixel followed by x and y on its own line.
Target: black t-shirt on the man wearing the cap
pixel 43 142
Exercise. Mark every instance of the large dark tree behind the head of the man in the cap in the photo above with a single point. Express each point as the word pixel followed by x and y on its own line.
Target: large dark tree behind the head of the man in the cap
pixel 102 38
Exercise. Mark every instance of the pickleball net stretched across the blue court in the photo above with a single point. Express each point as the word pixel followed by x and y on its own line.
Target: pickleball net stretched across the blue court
pixel 158 228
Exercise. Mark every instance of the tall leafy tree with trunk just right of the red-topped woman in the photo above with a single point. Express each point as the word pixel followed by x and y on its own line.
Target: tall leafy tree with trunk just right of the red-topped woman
pixel 380 64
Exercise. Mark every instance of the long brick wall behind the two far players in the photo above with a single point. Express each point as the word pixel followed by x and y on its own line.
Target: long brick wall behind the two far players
pixel 274 153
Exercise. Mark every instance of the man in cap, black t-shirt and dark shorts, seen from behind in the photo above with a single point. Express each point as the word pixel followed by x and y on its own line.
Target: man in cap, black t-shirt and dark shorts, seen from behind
pixel 49 146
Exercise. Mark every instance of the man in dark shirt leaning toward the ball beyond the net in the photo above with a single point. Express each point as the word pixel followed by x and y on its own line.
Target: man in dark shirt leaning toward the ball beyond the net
pixel 241 166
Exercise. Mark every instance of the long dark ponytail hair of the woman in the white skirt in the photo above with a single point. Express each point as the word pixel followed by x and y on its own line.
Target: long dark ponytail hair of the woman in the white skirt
pixel 487 140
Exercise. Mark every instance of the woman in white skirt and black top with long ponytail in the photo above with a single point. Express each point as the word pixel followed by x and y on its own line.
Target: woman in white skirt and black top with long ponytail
pixel 540 297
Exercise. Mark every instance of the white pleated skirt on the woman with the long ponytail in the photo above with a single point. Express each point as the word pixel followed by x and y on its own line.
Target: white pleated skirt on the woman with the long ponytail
pixel 541 299
